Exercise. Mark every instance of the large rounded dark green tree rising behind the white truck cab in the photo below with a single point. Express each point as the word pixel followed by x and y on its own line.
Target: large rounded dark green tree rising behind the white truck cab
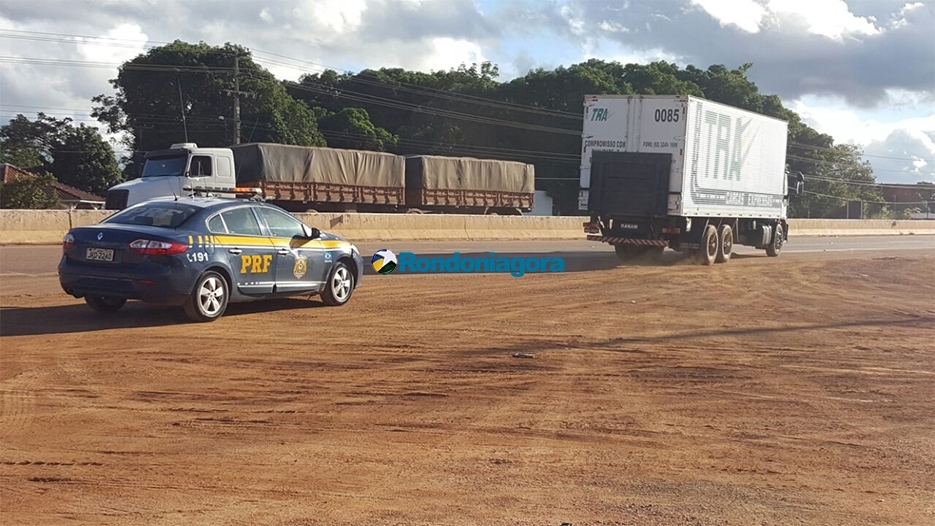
pixel 155 90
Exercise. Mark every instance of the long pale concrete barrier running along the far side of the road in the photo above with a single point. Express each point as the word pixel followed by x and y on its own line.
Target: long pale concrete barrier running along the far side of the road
pixel 44 227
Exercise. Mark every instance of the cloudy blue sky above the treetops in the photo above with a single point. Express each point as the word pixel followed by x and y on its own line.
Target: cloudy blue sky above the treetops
pixel 862 71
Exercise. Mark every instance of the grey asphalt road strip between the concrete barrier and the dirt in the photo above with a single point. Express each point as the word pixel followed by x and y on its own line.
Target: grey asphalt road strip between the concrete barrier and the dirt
pixel 578 255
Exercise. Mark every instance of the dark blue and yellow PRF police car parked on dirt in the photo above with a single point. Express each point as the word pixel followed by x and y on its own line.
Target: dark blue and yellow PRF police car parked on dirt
pixel 202 253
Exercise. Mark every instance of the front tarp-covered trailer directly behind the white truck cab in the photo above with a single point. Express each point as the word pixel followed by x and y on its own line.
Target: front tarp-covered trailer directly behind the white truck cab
pixel 331 179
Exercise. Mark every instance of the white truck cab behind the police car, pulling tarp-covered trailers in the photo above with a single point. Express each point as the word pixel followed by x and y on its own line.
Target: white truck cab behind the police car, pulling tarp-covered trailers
pixel 179 170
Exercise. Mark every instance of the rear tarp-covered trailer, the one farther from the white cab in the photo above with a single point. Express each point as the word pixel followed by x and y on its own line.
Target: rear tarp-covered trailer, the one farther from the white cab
pixel 466 184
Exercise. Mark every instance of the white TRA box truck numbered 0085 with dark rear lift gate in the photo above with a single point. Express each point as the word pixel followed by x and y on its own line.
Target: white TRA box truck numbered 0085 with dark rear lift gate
pixel 685 173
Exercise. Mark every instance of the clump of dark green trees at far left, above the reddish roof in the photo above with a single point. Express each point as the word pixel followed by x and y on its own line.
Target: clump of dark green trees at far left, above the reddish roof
pixel 74 155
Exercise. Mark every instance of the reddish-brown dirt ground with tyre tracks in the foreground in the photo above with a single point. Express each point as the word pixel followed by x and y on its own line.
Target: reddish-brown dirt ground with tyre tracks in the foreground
pixel 762 392
